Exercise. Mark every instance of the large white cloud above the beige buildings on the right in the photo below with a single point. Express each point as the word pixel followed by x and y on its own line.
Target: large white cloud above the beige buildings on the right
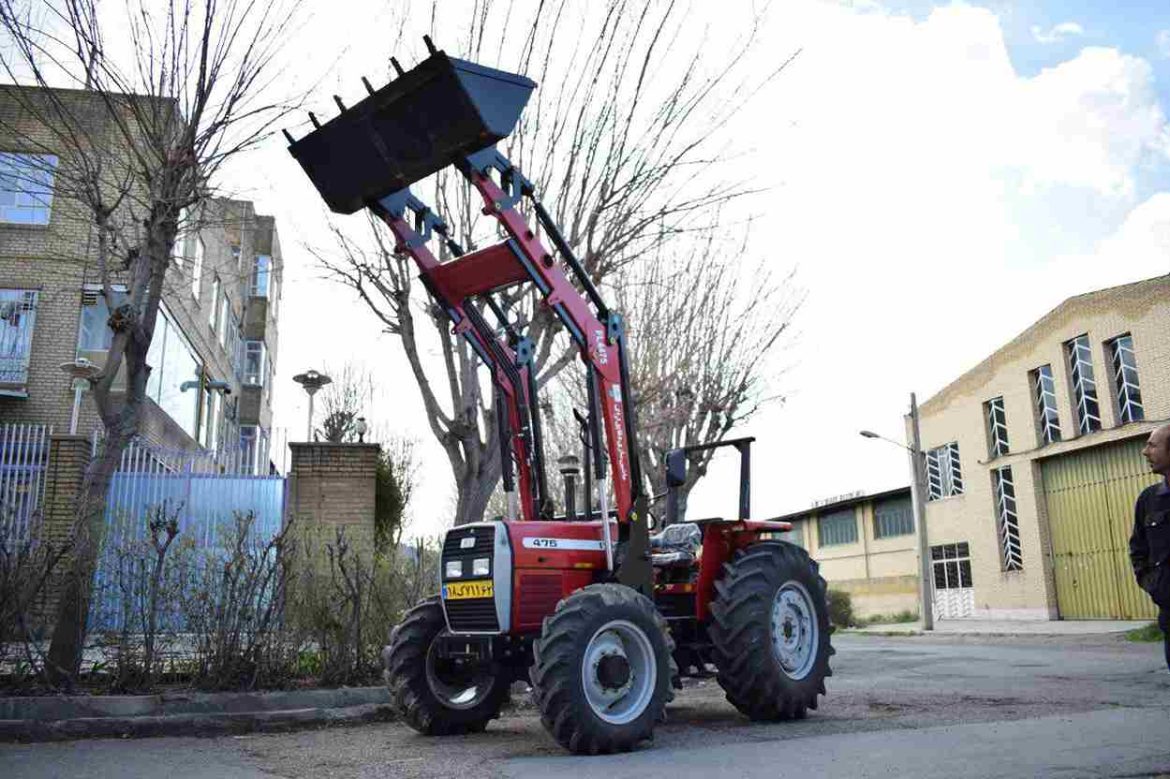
pixel 939 203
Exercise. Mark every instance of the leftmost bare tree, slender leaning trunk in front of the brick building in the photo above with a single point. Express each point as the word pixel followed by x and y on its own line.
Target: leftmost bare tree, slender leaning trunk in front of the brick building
pixel 163 105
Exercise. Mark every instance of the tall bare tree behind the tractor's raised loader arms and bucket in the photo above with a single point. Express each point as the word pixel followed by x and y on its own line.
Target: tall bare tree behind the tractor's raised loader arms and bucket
pixel 623 143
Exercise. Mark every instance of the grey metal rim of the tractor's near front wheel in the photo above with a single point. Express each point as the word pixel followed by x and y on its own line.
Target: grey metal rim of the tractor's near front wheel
pixel 620 672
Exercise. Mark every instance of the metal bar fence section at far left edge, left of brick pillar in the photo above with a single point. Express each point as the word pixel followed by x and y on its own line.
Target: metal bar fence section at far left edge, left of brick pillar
pixel 24 460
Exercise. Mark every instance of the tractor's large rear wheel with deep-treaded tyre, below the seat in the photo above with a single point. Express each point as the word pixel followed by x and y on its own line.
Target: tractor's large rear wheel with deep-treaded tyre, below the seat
pixel 770 632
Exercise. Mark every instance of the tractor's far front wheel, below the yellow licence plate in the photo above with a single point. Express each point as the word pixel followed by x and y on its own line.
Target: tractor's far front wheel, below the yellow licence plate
pixel 439 697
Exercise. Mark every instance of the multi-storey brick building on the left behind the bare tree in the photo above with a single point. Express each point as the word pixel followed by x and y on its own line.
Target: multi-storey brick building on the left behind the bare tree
pixel 216 342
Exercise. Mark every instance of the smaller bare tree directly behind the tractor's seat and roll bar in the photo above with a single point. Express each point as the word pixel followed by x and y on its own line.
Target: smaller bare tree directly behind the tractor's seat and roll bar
pixel 705 332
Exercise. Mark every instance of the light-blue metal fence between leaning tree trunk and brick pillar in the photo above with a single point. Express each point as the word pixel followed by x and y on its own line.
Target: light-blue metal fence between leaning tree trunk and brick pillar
pixel 203 492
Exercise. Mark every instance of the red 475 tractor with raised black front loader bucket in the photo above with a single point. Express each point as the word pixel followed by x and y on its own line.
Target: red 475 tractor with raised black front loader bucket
pixel 597 613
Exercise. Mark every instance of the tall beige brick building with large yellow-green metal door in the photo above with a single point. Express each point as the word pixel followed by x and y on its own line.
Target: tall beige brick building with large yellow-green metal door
pixel 1034 461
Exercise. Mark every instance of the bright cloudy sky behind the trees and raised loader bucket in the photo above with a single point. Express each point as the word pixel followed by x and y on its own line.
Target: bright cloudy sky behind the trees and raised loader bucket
pixel 939 176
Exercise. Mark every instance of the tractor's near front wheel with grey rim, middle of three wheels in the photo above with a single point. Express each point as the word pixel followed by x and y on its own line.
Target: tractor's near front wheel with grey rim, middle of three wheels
pixel 602 671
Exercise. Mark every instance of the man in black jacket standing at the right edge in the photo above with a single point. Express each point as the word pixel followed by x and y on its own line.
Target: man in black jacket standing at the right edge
pixel 1150 547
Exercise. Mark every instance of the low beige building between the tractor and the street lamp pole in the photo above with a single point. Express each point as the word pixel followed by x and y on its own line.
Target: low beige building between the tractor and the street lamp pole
pixel 866 547
